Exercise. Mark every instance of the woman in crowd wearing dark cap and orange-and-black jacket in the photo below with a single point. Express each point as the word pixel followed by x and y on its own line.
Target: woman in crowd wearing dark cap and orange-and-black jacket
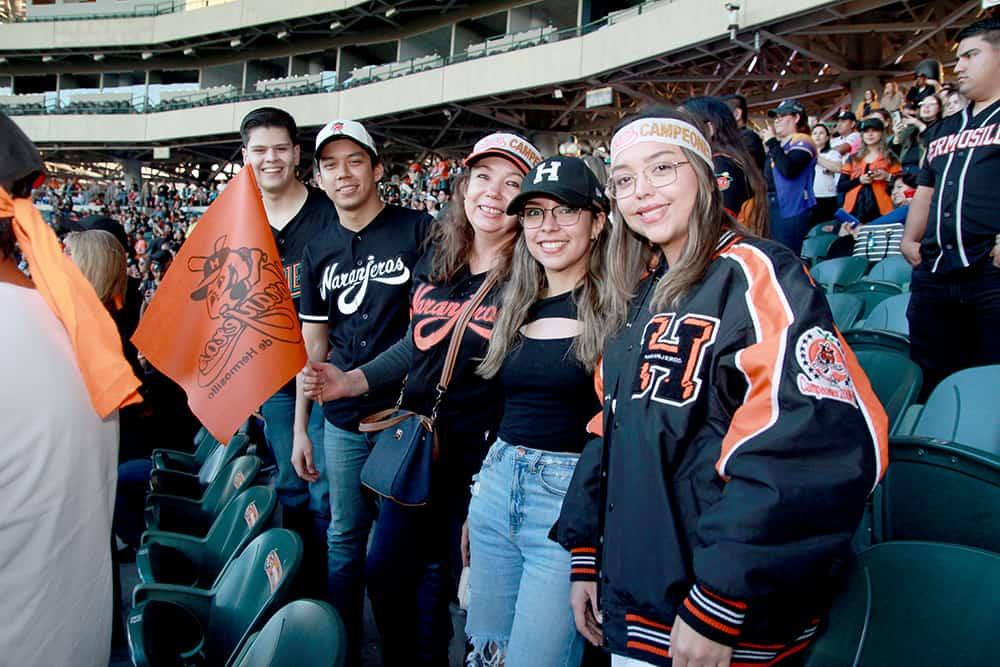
pixel 866 176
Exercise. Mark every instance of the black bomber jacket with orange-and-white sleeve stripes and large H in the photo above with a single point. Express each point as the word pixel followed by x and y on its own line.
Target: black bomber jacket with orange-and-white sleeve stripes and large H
pixel 741 439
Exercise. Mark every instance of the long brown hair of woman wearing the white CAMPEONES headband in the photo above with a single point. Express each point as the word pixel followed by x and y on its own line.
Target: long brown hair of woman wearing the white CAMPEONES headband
pixel 630 256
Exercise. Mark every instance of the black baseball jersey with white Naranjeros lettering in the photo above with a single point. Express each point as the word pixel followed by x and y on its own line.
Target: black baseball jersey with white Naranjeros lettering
pixel 358 283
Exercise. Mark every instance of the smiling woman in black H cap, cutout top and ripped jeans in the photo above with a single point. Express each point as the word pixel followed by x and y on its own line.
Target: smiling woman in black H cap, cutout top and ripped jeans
pixel 544 348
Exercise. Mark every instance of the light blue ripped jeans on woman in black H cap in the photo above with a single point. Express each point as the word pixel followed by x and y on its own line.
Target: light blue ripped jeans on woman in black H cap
pixel 519 578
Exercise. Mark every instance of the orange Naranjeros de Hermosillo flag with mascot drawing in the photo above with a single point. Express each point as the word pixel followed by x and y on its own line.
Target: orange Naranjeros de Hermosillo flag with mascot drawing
pixel 222 324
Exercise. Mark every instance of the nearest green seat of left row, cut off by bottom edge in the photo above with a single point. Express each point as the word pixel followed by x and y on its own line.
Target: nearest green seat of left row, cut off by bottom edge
pixel 303 632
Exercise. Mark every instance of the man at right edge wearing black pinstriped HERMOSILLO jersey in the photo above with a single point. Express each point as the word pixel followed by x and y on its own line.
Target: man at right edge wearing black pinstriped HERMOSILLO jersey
pixel 952 228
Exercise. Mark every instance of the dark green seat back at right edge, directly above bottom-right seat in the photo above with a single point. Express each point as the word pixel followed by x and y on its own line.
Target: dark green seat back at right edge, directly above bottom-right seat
pixel 938 491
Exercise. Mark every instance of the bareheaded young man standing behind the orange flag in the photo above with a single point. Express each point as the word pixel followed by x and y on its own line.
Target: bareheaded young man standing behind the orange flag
pixel 296 214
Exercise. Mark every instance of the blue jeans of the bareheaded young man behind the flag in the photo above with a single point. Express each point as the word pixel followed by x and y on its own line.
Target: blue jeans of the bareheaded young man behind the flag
pixel 294 493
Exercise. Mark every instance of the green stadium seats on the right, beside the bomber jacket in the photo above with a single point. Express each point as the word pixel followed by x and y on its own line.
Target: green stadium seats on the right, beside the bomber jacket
pixel 929 540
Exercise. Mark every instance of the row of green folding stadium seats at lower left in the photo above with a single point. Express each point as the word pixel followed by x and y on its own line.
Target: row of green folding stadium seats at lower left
pixel 216 576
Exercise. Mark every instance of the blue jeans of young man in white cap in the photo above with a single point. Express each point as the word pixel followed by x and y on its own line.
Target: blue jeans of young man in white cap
pixel 351 515
